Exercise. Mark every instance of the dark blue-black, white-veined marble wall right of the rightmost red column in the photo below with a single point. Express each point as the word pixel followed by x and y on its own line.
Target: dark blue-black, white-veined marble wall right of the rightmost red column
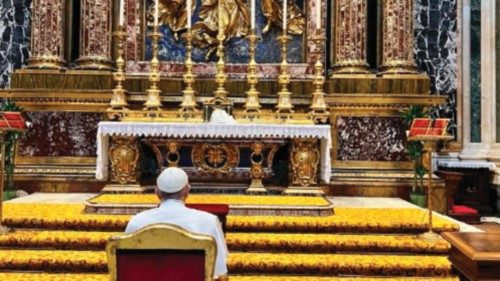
pixel 436 51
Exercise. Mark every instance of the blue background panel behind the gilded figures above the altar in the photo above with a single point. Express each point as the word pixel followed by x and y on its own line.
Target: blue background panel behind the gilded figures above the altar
pixel 268 49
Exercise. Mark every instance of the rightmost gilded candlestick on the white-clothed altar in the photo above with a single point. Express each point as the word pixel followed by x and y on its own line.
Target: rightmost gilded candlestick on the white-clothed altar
pixel 318 107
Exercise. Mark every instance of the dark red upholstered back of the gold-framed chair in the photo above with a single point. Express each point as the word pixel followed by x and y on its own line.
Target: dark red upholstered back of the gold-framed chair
pixel 159 265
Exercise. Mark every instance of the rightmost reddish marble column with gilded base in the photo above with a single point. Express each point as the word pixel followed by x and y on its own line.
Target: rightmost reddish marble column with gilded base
pixel 397 38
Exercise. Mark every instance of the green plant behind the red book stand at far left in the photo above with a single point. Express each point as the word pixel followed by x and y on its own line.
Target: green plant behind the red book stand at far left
pixel 10 149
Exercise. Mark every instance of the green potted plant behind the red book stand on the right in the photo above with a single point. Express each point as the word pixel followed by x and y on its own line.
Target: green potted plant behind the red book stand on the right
pixel 415 149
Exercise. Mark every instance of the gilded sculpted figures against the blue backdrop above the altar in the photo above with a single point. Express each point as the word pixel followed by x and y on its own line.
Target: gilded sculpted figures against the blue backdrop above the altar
pixel 235 18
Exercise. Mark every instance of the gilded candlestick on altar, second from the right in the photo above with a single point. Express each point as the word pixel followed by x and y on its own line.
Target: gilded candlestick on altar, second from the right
pixel 284 106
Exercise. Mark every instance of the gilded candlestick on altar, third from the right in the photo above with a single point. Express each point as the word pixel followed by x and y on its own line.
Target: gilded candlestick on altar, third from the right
pixel 252 105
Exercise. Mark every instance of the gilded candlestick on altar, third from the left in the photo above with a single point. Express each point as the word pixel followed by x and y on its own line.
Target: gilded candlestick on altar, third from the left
pixel 188 105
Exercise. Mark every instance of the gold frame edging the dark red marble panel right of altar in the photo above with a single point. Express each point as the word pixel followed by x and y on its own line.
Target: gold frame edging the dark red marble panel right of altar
pixel 363 112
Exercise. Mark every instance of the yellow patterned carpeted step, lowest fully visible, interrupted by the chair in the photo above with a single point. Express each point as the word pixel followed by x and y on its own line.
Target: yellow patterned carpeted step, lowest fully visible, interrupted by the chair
pixel 245 263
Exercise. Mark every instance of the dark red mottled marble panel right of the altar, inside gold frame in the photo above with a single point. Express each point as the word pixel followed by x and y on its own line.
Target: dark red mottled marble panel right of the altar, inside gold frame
pixel 370 139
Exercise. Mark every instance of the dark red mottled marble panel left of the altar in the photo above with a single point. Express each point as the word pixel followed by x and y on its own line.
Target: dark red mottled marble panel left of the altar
pixel 61 134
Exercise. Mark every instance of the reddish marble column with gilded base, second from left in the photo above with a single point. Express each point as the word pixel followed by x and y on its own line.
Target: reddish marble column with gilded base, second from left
pixel 96 35
